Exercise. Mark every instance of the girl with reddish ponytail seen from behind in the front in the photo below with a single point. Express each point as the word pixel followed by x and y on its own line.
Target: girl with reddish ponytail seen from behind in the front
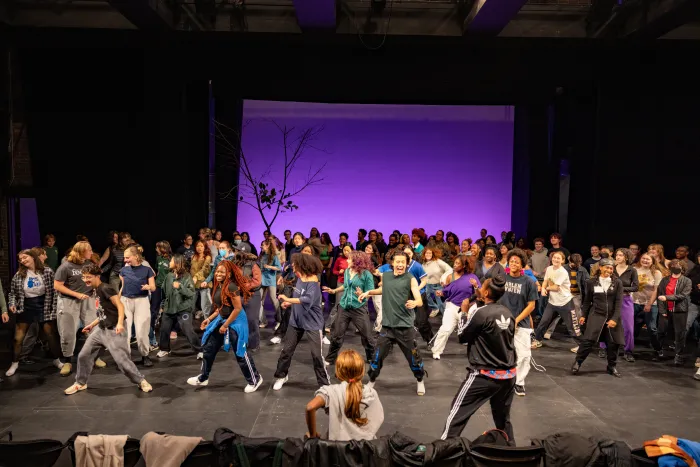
pixel 354 410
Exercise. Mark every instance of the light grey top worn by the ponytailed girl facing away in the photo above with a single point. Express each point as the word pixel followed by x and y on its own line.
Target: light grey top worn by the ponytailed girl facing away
pixel 341 428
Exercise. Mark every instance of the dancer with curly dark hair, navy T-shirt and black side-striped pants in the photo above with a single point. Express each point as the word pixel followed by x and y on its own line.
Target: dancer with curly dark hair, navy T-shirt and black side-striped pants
pixel 306 319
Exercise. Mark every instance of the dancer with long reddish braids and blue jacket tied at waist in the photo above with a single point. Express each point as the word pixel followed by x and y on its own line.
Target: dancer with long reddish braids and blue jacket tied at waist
pixel 227 326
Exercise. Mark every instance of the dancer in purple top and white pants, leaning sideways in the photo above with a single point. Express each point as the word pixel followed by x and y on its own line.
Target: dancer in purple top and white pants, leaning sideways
pixel 461 285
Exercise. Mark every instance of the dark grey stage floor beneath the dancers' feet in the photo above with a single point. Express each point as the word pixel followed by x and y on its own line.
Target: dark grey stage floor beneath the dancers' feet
pixel 651 399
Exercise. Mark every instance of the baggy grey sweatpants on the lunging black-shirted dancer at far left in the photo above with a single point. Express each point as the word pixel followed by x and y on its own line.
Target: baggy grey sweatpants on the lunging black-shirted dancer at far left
pixel 118 346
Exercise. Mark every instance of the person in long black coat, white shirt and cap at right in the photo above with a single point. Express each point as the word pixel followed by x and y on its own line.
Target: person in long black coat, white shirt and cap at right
pixel 601 315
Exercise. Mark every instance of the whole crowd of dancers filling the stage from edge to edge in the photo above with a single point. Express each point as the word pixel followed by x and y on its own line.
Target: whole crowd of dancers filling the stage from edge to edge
pixel 503 299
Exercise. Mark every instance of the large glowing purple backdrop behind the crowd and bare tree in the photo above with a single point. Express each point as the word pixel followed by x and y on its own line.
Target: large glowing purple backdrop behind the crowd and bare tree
pixel 388 167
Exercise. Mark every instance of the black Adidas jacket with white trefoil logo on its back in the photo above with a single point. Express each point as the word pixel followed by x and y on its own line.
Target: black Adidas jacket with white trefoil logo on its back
pixel 489 333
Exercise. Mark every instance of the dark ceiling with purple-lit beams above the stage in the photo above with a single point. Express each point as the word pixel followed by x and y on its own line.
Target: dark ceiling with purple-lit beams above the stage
pixel 371 20
